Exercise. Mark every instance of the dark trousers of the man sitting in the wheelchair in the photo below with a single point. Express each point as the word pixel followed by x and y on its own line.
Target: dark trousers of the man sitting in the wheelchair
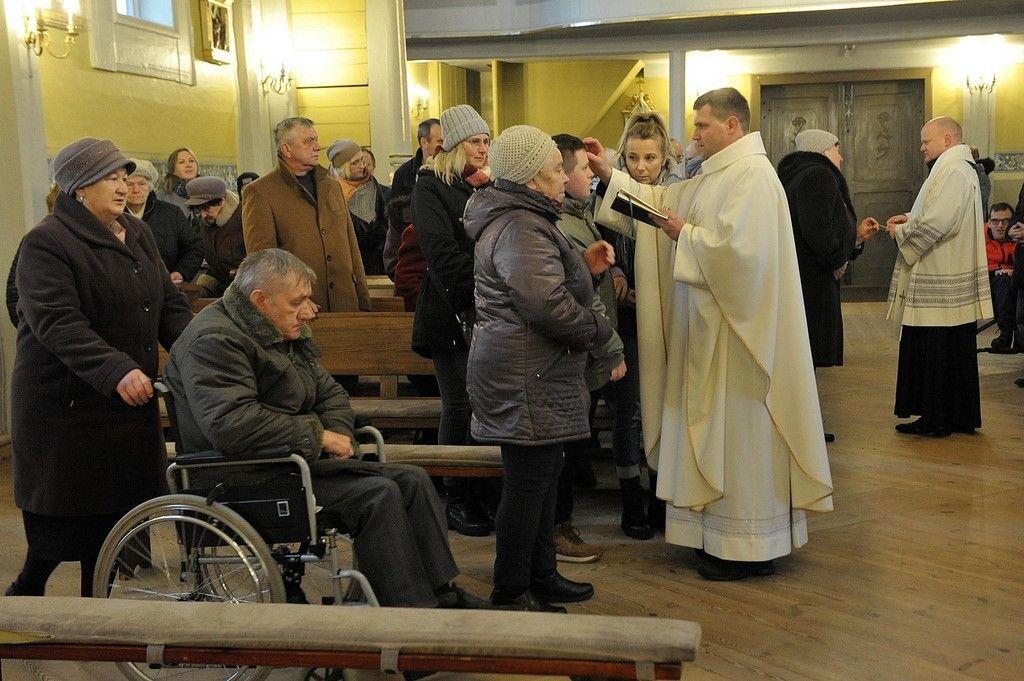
pixel 399 528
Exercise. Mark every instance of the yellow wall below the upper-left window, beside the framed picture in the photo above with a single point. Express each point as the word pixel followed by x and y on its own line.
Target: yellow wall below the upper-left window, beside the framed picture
pixel 146 117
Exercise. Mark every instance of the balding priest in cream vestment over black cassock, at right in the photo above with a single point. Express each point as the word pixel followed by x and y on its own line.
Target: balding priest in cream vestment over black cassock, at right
pixel 941 290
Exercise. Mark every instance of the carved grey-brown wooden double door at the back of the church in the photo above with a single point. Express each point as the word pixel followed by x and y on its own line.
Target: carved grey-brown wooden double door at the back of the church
pixel 878 125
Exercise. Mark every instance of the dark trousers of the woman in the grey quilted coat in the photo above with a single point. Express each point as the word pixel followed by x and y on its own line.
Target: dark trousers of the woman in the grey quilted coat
pixel 526 518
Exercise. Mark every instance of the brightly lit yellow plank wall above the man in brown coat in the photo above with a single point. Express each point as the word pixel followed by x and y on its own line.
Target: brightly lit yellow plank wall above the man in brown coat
pixel 329 41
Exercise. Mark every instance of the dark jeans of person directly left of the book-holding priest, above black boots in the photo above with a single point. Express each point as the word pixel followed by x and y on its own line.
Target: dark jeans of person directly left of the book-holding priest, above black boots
pixel 624 398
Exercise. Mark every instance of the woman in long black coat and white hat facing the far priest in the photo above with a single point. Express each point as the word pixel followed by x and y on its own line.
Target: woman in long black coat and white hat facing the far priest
pixel 827 234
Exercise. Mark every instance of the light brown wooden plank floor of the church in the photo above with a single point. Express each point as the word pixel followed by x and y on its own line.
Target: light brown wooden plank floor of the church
pixel 919 574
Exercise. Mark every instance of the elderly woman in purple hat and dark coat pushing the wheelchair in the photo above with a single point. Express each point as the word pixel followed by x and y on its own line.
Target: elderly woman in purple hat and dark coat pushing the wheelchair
pixel 95 301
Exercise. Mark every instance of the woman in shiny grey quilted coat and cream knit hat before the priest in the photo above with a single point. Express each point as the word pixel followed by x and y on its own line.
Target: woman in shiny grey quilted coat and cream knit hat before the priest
pixel 526 376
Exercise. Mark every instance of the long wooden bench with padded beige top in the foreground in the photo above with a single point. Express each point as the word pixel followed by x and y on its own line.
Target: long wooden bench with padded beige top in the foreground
pixel 330 636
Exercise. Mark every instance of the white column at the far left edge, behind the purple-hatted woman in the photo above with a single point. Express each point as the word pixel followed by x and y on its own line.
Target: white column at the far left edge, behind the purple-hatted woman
pixel 24 176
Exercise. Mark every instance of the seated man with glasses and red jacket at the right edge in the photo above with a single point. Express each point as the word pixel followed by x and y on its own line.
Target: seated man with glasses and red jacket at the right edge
pixel 1000 248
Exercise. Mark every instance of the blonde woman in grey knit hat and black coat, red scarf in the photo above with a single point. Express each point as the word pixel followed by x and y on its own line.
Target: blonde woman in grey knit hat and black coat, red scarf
pixel 445 309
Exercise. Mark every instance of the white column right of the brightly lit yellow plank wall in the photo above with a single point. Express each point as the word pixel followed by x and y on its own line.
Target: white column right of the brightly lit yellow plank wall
pixel 390 129
